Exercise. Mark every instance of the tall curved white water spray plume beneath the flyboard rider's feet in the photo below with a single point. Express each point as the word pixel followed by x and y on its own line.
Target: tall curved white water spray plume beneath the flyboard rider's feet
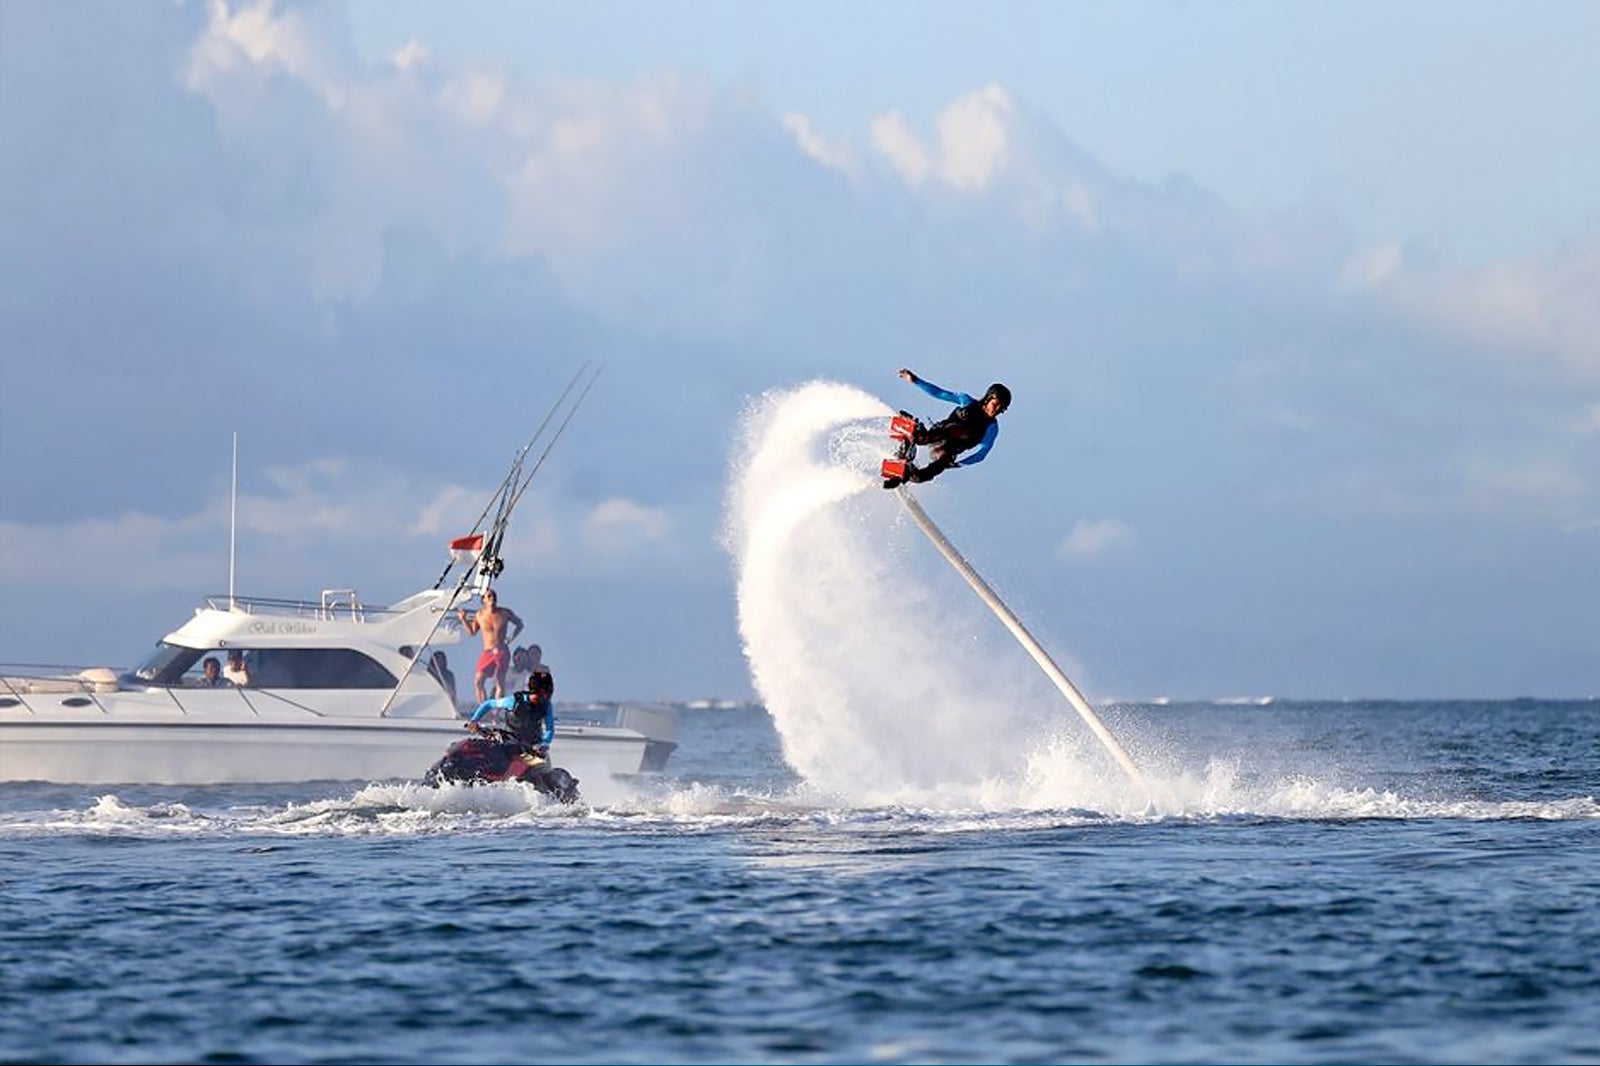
pixel 882 686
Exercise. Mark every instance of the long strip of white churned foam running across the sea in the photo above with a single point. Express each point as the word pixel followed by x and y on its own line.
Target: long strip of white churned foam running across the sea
pixel 1038 804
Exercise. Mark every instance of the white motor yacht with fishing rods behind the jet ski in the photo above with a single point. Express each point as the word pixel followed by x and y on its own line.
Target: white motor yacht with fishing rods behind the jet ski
pixel 334 692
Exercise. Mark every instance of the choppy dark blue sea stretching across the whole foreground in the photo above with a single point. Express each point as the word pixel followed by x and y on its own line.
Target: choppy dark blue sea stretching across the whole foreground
pixel 1303 883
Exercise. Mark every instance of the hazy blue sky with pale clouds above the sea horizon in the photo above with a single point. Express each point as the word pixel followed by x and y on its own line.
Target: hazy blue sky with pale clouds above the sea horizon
pixel 1297 302
